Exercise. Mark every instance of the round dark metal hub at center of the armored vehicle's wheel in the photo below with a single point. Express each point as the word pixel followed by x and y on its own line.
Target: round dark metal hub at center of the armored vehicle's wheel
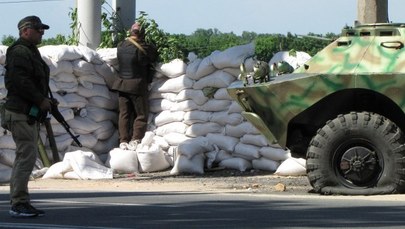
pixel 359 165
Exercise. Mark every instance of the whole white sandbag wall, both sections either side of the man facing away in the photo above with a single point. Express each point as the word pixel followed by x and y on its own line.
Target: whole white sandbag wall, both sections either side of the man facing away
pixel 193 124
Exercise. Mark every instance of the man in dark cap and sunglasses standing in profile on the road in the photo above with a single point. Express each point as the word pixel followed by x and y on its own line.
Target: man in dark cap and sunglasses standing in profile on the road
pixel 26 81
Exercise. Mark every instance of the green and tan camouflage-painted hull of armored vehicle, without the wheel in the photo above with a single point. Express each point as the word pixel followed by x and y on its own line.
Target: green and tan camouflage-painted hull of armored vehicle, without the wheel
pixel 366 56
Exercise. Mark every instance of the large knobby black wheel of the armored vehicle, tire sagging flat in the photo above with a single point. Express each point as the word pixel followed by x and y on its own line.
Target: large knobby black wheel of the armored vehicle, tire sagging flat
pixel 359 153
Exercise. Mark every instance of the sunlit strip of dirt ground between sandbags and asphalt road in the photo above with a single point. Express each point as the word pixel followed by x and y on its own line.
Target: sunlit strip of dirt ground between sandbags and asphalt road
pixel 211 181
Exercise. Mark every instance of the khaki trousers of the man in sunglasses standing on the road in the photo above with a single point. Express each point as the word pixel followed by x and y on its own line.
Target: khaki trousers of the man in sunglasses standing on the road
pixel 25 136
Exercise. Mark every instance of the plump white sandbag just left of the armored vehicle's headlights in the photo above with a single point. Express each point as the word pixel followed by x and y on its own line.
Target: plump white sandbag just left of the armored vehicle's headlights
pixel 217 79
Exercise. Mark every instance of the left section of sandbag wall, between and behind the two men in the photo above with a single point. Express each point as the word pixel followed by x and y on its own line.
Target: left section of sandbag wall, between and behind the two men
pixel 78 81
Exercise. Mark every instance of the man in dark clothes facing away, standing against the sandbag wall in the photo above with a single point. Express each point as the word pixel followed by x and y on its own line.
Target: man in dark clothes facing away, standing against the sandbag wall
pixel 135 58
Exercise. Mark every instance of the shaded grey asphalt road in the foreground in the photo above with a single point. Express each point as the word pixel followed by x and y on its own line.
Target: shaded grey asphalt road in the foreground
pixel 184 209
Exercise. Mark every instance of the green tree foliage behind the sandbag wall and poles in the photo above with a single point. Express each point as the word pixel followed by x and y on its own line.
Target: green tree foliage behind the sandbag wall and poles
pixel 202 42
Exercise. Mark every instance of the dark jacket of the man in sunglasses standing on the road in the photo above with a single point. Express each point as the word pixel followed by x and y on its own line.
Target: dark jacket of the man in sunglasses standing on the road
pixel 27 77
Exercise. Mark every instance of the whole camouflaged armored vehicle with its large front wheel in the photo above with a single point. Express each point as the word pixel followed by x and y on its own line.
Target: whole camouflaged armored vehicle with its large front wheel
pixel 344 110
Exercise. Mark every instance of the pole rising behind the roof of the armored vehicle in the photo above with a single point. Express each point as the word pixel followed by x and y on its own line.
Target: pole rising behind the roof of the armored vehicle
pixel 372 11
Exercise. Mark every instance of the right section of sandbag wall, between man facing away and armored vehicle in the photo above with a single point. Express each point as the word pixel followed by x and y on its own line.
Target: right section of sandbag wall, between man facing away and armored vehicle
pixel 191 101
